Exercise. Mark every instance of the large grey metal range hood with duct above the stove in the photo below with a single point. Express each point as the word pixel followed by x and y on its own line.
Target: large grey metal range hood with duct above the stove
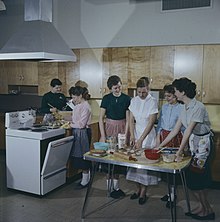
pixel 37 38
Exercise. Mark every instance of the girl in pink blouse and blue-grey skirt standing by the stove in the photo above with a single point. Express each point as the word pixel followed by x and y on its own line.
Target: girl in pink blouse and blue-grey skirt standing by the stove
pixel 80 124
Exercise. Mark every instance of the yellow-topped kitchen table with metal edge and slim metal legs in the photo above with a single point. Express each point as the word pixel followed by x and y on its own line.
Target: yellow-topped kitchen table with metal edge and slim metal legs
pixel 142 163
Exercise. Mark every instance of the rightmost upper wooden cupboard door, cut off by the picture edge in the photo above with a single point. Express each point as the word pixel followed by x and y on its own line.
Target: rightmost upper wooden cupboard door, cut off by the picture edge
pixel 211 73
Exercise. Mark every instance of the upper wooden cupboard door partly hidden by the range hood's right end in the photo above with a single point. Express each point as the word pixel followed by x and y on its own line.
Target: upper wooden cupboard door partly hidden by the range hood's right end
pixel 72 71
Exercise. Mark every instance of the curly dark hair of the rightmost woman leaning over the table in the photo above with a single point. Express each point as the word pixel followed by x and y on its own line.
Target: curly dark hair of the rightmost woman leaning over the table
pixel 185 85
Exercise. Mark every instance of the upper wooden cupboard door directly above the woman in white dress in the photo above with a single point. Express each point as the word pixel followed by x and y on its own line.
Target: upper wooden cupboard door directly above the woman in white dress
pixel 138 64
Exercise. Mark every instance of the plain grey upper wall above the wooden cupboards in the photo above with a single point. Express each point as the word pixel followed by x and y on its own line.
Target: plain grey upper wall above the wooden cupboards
pixel 117 23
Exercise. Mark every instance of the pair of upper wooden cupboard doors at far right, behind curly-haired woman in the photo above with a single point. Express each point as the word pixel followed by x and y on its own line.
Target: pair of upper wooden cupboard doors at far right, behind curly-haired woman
pixel 200 63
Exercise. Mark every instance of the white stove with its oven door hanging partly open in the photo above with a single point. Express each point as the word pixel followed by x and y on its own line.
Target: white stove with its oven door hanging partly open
pixel 35 161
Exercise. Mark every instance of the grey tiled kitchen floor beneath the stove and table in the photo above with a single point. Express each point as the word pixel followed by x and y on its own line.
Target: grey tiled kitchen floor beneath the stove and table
pixel 65 204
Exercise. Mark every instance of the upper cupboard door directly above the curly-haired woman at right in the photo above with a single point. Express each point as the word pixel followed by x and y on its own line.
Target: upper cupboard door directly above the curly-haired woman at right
pixel 188 63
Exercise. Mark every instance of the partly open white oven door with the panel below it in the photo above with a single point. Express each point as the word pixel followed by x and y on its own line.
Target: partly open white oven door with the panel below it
pixel 53 173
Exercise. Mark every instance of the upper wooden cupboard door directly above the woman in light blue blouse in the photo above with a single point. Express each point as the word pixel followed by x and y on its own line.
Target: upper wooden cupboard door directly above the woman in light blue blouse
pixel 161 66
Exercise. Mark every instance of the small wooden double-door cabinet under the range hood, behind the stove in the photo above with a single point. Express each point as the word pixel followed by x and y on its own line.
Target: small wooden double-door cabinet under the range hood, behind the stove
pixel 22 73
